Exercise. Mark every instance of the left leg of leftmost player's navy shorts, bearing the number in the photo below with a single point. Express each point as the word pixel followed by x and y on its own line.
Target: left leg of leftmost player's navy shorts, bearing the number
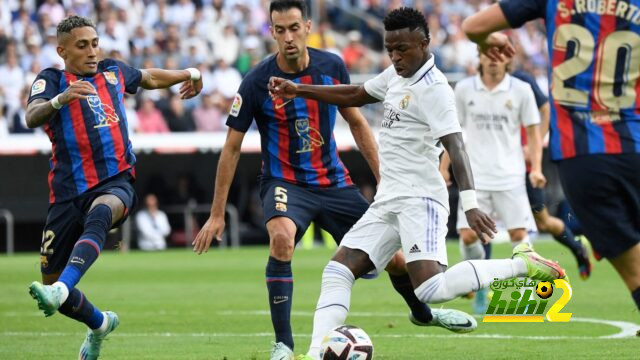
pixel 61 231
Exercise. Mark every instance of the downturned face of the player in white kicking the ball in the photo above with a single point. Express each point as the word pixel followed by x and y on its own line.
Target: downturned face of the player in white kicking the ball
pixel 407 49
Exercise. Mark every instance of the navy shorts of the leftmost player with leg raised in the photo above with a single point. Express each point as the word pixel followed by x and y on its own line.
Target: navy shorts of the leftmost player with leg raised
pixel 65 220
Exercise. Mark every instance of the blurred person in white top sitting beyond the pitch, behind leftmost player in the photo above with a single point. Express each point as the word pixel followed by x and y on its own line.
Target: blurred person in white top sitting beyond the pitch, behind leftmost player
pixel 153 225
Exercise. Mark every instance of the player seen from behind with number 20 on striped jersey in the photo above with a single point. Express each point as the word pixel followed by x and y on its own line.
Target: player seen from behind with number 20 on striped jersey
pixel 595 115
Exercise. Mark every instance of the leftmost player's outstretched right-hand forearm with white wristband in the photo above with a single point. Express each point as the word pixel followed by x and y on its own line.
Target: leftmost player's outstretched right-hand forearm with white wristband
pixel 159 79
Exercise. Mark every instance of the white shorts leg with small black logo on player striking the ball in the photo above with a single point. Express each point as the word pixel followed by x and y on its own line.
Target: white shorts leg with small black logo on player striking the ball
pixel 422 226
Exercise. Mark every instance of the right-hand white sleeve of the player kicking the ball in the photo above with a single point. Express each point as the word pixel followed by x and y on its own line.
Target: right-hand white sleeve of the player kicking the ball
pixel 440 111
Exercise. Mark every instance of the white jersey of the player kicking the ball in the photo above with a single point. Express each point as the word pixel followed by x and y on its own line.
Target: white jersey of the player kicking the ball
pixel 418 111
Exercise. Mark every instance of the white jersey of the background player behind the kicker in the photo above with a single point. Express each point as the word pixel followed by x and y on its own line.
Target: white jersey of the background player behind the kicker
pixel 491 122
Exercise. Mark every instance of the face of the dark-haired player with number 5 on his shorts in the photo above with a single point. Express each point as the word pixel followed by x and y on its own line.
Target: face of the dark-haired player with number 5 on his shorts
pixel 290 31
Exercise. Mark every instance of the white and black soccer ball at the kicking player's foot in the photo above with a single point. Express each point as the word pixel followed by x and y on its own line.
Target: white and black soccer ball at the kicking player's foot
pixel 346 342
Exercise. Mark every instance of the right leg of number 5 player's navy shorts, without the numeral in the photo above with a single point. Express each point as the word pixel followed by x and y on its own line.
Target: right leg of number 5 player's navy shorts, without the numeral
pixel 341 209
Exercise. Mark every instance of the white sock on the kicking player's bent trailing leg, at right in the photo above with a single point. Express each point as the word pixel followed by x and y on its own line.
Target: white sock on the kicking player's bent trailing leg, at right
pixel 468 276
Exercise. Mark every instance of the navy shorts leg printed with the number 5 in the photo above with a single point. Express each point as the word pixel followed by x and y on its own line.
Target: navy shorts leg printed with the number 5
pixel 283 199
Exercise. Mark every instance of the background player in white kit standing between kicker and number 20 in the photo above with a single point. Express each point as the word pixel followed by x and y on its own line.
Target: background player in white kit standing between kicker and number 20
pixel 492 108
